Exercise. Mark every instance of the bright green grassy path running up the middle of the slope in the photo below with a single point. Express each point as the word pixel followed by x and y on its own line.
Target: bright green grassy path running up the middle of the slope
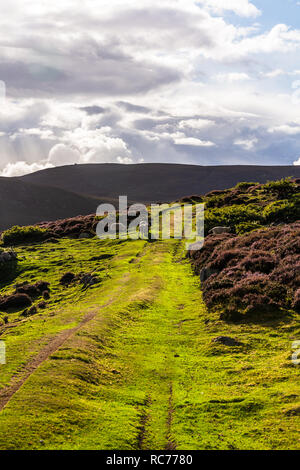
pixel 153 352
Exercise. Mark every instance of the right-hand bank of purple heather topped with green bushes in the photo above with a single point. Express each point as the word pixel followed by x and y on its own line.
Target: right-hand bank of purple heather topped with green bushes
pixel 253 272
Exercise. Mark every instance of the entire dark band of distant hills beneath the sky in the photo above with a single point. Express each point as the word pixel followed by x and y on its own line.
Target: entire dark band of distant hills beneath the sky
pixel 77 189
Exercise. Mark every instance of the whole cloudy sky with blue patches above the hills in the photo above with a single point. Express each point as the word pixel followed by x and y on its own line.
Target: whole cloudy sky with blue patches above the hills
pixel 206 82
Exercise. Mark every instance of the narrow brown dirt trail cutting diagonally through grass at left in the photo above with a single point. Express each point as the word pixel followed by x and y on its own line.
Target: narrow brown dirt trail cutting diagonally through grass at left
pixel 18 381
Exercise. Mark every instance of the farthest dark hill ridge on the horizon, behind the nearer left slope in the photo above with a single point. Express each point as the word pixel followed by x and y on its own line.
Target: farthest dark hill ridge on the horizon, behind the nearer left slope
pixel 153 182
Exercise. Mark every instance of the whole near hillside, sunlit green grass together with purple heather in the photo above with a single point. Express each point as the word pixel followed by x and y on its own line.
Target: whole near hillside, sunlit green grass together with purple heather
pixel 116 344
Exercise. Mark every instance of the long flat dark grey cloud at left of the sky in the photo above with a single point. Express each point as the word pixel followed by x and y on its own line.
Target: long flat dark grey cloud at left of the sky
pixel 98 76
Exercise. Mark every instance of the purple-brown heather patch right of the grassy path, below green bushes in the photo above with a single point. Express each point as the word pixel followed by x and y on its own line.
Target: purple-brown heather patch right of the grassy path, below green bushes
pixel 258 273
